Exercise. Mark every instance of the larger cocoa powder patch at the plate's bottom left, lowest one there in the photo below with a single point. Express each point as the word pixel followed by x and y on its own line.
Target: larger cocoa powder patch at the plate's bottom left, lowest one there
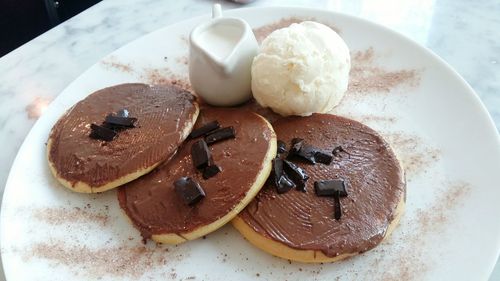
pixel 118 261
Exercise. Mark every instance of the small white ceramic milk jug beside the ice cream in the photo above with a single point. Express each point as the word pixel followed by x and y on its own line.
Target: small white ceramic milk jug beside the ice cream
pixel 221 52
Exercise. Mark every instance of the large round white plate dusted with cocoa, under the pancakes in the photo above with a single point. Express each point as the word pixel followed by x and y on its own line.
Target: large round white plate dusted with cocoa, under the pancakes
pixel 437 125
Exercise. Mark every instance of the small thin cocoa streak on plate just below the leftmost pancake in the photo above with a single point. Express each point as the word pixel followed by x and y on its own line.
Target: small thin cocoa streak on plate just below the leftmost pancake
pixel 58 216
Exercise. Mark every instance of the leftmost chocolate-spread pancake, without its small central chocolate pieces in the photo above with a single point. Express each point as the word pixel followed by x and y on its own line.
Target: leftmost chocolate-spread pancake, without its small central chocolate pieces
pixel 165 116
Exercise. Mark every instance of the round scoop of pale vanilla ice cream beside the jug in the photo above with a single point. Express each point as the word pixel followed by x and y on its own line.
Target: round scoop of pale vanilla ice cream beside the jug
pixel 301 69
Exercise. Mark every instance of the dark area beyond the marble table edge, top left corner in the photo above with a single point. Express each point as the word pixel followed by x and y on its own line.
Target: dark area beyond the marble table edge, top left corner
pixel 23 20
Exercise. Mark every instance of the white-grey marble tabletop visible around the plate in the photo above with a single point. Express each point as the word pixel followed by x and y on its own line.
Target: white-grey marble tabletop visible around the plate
pixel 463 33
